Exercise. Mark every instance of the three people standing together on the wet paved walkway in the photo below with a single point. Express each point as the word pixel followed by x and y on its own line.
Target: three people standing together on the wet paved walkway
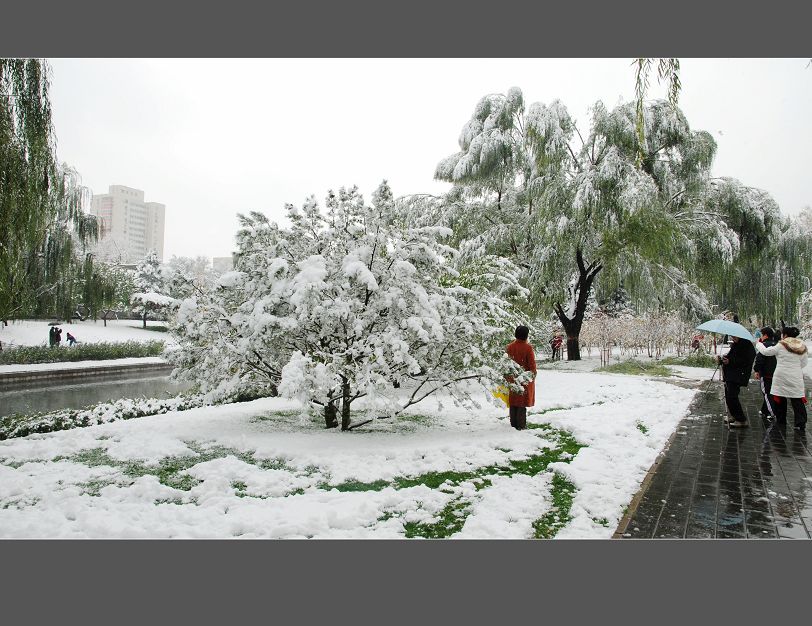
pixel 778 362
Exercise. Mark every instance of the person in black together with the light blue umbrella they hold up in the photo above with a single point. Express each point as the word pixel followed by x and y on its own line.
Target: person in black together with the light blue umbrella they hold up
pixel 737 365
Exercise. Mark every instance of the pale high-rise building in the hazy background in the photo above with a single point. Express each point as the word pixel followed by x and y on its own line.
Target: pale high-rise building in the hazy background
pixel 130 227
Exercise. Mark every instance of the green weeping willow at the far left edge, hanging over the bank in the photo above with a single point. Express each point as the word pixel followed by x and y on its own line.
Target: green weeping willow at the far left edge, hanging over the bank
pixel 43 224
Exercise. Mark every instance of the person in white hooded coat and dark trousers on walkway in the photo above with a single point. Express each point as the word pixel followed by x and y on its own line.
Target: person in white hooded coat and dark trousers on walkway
pixel 788 380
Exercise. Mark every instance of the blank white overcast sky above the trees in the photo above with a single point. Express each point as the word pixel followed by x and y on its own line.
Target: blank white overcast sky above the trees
pixel 210 138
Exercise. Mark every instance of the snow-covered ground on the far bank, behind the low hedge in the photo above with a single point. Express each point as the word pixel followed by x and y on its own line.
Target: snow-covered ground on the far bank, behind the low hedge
pixel 35 332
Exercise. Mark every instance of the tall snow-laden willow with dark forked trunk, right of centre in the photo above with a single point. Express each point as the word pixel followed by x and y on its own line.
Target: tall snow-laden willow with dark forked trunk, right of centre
pixel 564 212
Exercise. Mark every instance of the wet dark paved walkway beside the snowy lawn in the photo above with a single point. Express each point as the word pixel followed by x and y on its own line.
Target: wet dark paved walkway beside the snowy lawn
pixel 715 482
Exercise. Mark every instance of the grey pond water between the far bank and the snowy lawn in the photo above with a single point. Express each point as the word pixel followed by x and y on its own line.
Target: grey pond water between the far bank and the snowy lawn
pixel 78 394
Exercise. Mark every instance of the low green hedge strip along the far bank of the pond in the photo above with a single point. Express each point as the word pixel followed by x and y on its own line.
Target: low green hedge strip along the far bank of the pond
pixel 102 351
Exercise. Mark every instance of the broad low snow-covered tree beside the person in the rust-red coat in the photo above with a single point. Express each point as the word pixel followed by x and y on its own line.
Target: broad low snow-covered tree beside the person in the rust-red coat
pixel 347 305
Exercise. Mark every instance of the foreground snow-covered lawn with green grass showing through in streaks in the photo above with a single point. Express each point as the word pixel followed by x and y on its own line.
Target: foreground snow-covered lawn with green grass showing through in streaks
pixel 259 469
